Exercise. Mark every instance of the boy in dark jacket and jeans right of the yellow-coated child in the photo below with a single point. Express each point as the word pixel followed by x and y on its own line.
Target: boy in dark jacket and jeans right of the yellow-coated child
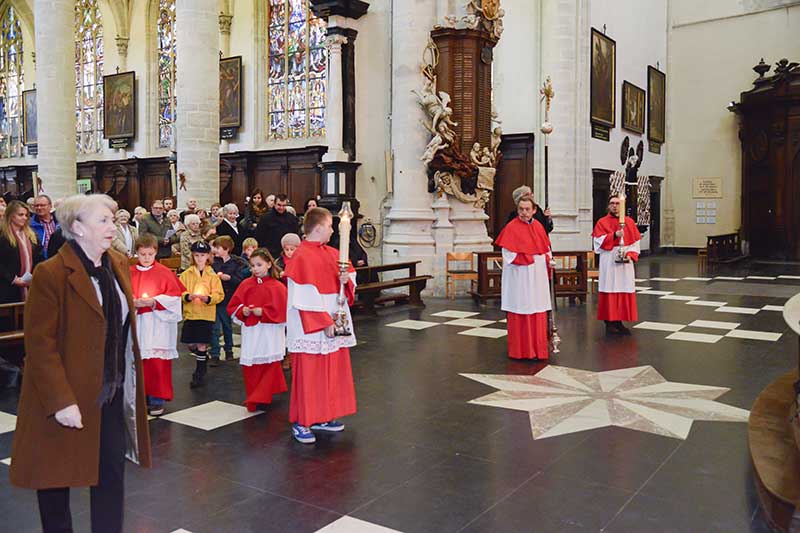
pixel 232 270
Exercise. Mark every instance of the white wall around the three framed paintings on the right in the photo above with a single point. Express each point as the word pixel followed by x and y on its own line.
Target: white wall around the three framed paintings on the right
pixel 640 30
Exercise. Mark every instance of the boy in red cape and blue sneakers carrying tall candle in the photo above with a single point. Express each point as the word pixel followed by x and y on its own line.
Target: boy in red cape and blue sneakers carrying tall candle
pixel 322 379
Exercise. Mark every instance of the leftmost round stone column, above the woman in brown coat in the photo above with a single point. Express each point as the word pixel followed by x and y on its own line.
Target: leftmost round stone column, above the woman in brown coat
pixel 55 84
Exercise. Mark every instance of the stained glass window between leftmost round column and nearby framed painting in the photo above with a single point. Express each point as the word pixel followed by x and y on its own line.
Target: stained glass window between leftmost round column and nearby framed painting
pixel 88 77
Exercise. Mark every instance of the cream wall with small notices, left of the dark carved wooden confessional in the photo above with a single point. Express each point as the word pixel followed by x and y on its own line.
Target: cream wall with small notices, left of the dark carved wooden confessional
pixel 712 47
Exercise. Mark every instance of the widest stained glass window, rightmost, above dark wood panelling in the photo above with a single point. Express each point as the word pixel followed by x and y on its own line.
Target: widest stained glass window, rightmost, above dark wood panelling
pixel 297 69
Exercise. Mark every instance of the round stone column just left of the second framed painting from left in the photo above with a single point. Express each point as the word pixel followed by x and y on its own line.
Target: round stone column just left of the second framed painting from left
pixel 197 124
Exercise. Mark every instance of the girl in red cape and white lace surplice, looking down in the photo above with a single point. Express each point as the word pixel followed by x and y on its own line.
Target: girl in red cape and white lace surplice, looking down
pixel 259 307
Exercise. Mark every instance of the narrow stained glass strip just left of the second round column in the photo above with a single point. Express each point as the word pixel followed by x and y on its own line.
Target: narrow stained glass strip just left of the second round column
pixel 166 72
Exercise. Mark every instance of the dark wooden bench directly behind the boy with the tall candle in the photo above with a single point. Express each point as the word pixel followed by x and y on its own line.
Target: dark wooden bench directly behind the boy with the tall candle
pixel 369 294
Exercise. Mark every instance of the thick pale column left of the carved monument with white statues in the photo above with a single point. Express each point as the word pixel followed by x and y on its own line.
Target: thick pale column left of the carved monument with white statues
pixel 408 225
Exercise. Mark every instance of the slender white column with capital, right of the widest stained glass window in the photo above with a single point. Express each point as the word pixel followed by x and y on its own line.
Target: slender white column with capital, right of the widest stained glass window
pixel 334 113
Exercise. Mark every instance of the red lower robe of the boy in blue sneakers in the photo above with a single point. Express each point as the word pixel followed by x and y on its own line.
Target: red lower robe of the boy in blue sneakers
pixel 322 387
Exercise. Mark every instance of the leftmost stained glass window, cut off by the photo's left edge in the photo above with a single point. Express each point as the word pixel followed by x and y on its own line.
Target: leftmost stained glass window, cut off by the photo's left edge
pixel 11 85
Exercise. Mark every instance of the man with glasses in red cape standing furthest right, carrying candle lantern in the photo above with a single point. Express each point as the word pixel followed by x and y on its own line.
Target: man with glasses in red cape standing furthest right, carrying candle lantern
pixel 618 248
